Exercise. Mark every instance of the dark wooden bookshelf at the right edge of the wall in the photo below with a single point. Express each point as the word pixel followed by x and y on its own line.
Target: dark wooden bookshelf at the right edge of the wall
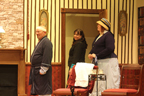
pixel 141 35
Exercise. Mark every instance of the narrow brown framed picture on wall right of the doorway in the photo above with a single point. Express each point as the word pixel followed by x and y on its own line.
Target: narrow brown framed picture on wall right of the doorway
pixel 122 23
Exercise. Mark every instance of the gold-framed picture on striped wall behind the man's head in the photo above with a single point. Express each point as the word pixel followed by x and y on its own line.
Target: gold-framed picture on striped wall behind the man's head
pixel 44 19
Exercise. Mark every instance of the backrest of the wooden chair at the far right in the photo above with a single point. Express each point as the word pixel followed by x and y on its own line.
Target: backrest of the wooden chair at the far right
pixel 131 76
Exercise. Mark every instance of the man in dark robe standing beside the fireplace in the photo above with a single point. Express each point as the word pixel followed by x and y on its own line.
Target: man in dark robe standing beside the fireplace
pixel 41 70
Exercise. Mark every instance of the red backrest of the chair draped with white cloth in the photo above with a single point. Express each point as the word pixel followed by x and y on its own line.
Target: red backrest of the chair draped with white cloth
pixel 72 76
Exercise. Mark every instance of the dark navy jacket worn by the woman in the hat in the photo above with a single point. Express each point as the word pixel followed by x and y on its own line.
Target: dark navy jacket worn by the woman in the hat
pixel 104 46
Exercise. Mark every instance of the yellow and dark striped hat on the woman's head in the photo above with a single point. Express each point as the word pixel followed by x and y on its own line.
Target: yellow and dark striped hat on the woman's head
pixel 104 23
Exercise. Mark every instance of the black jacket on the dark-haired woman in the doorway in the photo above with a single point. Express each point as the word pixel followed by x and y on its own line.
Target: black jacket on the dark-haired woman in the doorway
pixel 77 53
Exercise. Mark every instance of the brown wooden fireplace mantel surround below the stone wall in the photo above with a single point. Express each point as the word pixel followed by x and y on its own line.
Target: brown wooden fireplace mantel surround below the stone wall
pixel 15 57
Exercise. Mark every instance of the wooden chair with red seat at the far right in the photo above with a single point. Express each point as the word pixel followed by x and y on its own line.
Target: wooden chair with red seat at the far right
pixel 131 82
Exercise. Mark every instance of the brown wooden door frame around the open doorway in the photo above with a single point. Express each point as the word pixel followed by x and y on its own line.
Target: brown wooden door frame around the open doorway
pixel 102 14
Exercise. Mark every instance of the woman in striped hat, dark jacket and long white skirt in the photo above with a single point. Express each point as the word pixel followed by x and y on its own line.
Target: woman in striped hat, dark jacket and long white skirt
pixel 103 52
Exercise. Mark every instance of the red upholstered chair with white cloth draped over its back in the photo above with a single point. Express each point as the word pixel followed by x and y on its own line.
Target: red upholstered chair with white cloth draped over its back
pixel 78 91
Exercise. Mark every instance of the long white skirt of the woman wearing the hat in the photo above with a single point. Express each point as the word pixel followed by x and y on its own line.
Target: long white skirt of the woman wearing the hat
pixel 111 69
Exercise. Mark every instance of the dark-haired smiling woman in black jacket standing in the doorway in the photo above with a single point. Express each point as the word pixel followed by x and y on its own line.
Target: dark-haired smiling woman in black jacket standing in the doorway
pixel 78 49
